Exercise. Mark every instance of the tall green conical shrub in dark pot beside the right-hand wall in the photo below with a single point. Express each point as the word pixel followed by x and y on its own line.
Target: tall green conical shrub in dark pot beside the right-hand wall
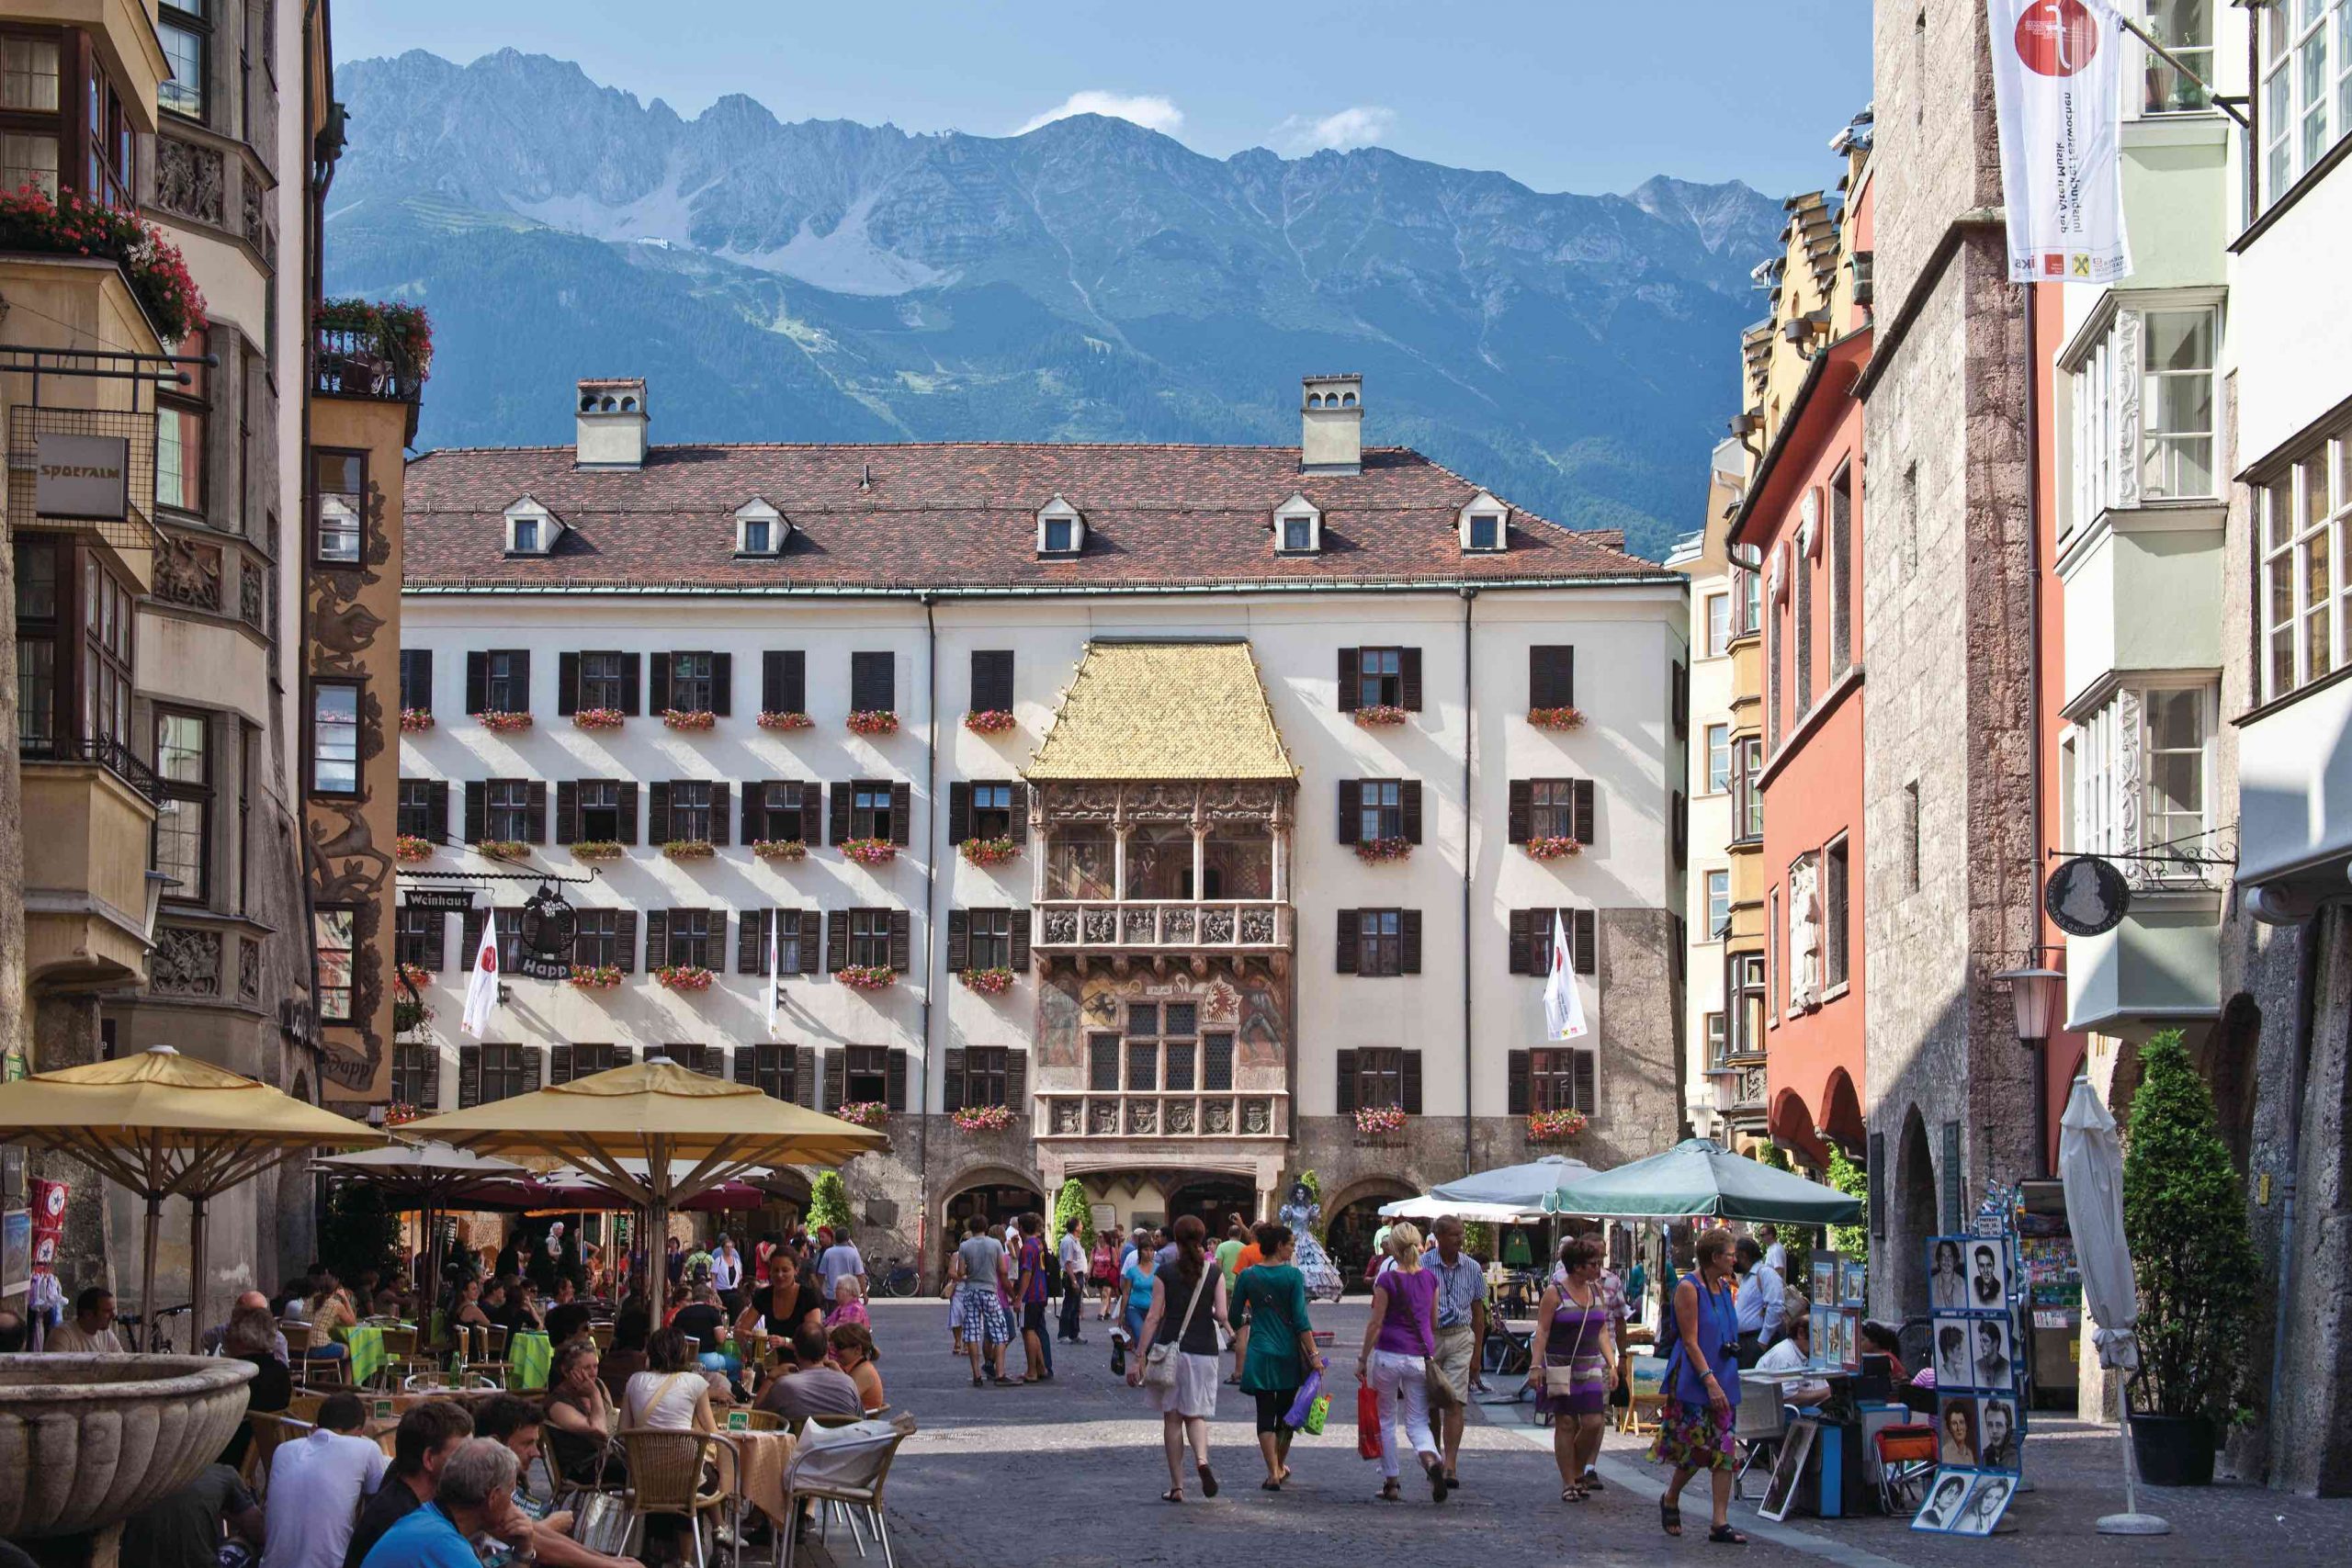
pixel 2186 1221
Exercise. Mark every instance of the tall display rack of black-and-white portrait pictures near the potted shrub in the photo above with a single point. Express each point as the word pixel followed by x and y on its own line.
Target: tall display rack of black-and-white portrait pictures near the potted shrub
pixel 1975 1289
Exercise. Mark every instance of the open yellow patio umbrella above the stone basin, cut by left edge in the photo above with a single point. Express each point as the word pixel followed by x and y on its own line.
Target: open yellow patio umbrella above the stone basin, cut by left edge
pixel 171 1125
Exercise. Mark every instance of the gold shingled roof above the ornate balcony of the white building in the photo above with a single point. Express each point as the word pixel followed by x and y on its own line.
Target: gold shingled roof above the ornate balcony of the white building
pixel 1182 711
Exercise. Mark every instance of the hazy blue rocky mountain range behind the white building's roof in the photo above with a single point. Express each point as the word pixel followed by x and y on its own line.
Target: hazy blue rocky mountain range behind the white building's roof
pixel 1083 281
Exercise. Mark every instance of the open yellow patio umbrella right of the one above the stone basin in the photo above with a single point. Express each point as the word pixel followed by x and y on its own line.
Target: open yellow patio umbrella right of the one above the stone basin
pixel 688 1130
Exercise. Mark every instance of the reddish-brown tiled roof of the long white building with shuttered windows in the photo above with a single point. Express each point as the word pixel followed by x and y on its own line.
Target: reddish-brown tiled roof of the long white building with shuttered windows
pixel 965 516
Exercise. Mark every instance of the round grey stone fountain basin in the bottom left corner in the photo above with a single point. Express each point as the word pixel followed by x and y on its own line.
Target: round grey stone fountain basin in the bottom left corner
pixel 93 1440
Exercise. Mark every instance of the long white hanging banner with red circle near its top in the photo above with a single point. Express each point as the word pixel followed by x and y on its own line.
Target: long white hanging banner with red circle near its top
pixel 2057 83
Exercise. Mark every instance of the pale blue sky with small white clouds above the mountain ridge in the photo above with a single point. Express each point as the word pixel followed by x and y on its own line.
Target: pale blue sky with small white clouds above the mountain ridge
pixel 1565 95
